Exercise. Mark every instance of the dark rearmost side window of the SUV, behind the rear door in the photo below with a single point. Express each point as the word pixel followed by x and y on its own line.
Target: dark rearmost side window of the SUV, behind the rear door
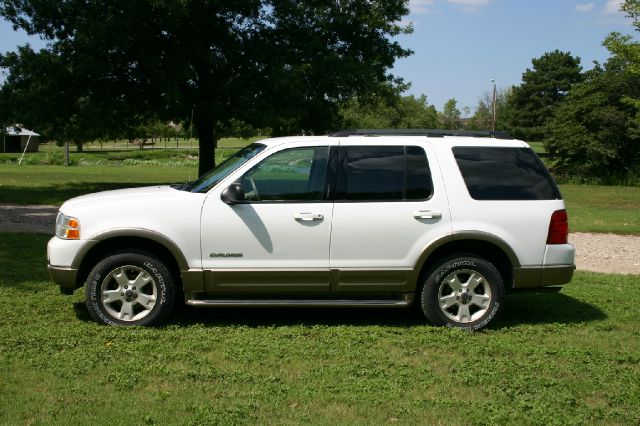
pixel 505 174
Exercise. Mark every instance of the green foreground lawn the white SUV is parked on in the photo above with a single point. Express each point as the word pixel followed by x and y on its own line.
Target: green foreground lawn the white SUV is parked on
pixel 567 358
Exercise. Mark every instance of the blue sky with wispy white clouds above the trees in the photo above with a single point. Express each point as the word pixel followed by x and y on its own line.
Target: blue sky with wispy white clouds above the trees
pixel 460 45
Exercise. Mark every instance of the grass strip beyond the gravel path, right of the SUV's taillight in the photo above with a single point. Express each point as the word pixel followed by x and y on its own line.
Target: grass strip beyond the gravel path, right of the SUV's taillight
pixel 608 209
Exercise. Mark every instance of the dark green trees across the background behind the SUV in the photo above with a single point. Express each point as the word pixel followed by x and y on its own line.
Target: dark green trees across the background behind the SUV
pixel 294 68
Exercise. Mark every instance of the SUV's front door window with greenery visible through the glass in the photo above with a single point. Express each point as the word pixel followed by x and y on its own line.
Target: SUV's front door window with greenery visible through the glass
pixel 297 174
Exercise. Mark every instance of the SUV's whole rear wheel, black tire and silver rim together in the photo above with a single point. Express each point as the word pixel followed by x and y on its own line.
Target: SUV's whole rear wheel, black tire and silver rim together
pixel 463 291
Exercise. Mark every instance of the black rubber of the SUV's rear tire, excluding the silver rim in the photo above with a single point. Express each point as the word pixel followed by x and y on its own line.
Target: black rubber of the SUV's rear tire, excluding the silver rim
pixel 429 296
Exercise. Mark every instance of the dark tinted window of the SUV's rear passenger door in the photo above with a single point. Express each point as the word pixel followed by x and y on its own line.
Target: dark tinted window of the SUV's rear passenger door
pixel 383 173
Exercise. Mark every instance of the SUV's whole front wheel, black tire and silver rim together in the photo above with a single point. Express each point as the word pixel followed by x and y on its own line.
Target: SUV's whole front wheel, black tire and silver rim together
pixel 130 288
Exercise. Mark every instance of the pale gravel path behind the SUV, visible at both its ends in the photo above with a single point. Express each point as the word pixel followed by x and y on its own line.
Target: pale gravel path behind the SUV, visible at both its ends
pixel 609 253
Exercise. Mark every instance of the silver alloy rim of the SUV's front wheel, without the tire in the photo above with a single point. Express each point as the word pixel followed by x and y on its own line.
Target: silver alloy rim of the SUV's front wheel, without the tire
pixel 128 293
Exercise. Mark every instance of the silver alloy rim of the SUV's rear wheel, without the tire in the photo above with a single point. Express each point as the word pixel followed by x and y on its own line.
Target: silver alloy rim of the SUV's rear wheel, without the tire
pixel 464 296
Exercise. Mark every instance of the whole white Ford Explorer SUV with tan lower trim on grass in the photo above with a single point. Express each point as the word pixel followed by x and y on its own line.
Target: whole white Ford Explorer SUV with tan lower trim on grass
pixel 365 218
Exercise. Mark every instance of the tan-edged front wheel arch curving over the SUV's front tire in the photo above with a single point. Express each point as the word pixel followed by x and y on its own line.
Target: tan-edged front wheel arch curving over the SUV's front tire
pixel 136 239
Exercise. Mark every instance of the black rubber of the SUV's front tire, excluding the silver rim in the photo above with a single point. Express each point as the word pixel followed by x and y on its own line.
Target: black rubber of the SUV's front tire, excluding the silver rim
pixel 154 267
